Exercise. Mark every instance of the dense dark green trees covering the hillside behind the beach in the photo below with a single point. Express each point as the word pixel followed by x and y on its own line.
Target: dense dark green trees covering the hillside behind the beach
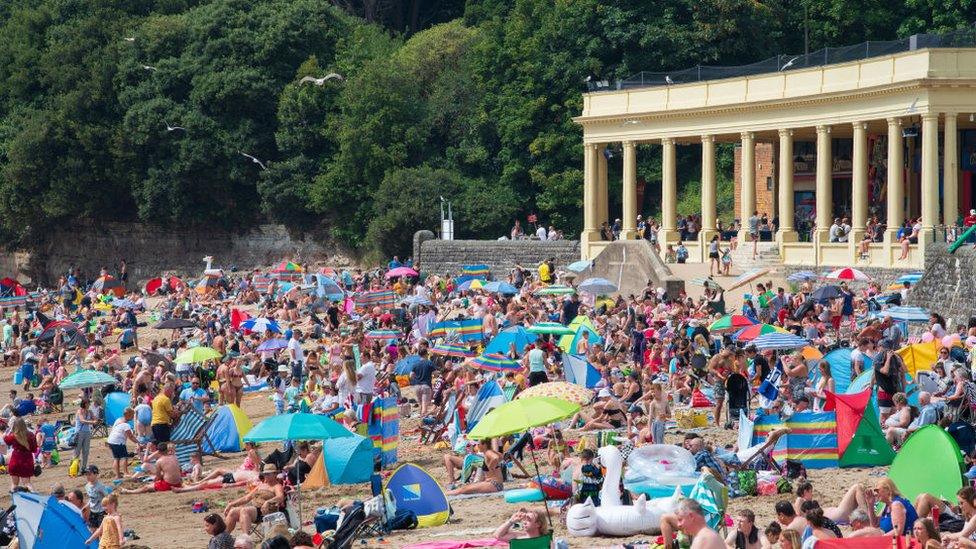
pixel 470 100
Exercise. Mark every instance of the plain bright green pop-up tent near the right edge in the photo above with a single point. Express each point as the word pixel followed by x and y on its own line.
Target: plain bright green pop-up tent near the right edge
pixel 930 461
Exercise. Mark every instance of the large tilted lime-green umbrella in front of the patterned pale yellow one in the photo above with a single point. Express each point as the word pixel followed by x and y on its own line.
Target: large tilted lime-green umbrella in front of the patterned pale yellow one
pixel 521 415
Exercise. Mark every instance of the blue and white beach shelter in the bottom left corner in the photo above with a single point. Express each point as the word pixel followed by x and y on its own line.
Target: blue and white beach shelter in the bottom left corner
pixel 43 522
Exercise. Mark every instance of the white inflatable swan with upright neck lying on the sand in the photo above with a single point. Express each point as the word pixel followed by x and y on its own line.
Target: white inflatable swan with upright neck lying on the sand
pixel 612 518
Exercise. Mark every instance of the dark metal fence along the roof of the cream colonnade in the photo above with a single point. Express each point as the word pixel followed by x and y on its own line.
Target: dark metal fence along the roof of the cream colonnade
pixel 828 56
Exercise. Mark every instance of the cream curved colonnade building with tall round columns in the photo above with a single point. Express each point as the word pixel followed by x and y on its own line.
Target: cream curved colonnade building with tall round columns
pixel 916 101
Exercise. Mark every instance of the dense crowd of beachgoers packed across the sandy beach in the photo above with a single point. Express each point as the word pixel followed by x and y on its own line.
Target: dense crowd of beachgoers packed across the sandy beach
pixel 654 352
